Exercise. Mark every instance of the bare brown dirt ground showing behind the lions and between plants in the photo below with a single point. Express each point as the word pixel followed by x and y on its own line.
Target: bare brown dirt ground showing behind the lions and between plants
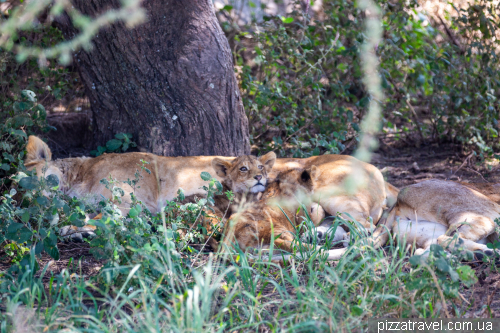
pixel 402 166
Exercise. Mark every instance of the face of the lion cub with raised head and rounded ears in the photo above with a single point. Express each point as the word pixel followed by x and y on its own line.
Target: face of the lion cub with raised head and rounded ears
pixel 245 173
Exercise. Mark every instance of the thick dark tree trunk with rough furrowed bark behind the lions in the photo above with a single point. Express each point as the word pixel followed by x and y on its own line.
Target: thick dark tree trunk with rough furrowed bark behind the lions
pixel 169 81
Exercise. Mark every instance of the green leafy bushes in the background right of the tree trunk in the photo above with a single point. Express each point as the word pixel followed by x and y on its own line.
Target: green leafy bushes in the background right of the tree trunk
pixel 300 76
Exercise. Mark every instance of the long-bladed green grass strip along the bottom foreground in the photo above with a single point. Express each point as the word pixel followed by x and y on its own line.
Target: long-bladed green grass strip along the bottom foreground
pixel 164 291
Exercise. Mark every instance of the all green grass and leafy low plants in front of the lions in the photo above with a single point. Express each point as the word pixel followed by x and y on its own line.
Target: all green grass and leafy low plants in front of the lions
pixel 153 280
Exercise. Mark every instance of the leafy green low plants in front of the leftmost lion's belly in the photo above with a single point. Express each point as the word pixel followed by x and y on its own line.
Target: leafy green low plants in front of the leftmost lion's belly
pixel 122 239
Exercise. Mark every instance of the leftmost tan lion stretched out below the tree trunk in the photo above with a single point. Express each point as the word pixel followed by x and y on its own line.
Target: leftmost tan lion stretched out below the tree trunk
pixel 80 176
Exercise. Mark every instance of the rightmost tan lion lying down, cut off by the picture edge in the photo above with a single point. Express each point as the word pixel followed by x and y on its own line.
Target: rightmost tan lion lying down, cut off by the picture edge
pixel 460 211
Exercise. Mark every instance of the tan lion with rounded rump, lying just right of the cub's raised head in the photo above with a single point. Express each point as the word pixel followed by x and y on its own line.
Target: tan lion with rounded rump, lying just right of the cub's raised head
pixel 330 190
